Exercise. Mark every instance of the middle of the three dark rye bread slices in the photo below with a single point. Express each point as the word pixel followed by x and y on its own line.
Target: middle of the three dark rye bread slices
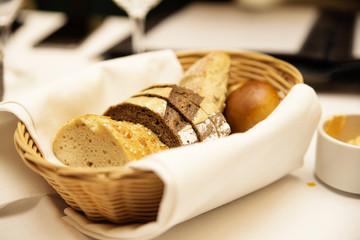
pixel 179 100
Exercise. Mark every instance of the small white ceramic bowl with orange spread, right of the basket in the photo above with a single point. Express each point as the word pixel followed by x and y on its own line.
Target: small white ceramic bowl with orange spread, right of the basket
pixel 338 162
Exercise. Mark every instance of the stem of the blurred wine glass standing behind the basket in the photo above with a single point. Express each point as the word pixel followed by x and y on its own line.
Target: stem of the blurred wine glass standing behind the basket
pixel 138 33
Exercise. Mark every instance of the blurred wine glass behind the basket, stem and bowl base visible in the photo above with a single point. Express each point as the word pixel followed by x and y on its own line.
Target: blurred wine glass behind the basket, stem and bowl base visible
pixel 137 11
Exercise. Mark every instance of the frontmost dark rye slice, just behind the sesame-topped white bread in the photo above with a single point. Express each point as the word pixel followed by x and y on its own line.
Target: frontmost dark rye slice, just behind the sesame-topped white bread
pixel 157 115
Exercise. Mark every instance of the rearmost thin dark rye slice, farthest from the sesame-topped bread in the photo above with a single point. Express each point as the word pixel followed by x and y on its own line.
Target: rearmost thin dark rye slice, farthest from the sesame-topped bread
pixel 204 103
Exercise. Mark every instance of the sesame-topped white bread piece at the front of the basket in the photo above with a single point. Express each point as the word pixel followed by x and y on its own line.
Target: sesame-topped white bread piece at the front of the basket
pixel 98 141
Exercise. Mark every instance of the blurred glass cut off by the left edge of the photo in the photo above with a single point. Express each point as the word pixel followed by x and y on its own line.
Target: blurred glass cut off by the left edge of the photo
pixel 8 11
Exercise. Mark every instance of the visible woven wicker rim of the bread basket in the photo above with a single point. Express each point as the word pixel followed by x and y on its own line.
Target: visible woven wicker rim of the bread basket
pixel 33 158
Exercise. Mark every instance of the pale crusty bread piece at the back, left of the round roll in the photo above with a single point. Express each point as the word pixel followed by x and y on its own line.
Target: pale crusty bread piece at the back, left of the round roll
pixel 209 77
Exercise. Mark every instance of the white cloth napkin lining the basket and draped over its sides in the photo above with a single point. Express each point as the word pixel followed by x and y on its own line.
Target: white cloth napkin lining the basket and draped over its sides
pixel 197 178
